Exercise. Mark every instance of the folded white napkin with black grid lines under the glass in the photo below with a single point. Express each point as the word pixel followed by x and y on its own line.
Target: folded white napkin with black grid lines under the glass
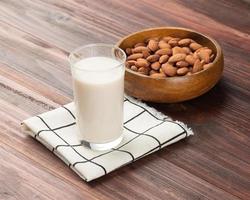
pixel 145 131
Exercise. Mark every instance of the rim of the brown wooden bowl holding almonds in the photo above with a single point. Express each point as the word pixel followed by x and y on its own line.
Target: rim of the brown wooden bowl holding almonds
pixel 215 43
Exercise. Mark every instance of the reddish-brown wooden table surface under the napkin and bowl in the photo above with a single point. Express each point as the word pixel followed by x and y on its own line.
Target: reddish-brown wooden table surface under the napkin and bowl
pixel 35 39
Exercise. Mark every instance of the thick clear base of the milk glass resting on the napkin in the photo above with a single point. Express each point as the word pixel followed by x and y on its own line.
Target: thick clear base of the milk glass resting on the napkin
pixel 102 146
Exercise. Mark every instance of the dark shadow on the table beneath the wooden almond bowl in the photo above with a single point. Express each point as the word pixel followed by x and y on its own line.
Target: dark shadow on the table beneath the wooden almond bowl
pixel 198 109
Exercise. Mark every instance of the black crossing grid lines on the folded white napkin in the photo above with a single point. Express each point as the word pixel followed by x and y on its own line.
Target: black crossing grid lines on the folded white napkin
pixel 137 135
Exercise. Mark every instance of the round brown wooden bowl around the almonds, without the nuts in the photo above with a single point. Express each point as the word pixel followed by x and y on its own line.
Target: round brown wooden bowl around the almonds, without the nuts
pixel 172 89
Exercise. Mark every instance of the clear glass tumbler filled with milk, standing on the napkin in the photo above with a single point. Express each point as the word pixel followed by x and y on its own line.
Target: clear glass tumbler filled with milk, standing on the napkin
pixel 98 82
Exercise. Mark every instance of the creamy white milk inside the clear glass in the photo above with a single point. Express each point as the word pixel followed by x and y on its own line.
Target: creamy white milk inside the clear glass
pixel 98 92
